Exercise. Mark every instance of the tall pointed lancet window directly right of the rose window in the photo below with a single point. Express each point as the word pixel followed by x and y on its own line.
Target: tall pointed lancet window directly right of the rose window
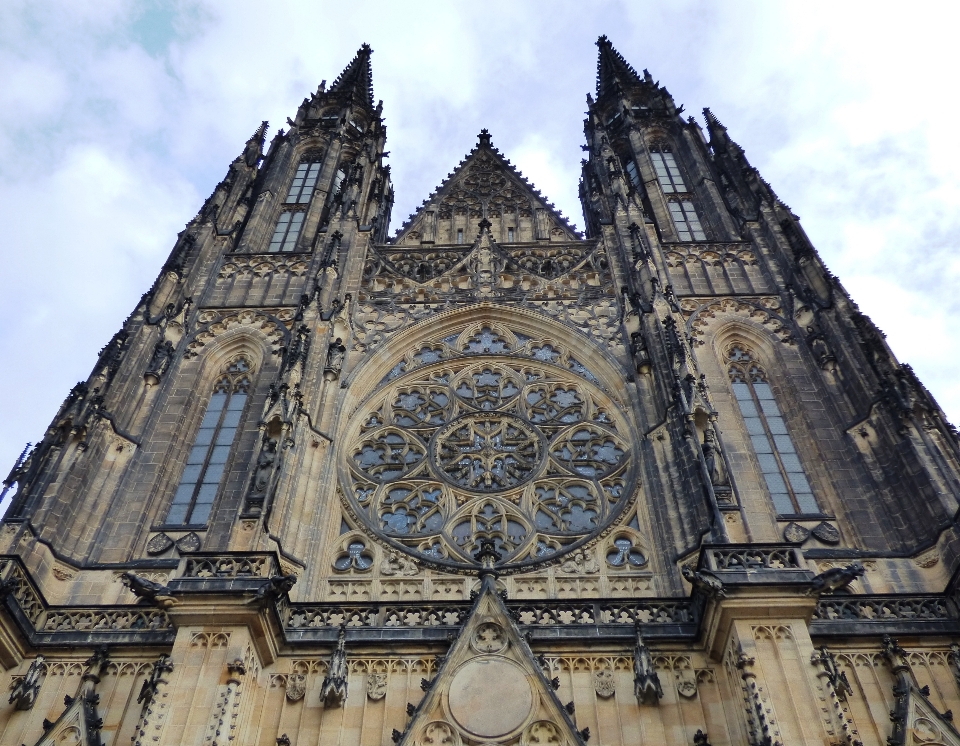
pixel 778 459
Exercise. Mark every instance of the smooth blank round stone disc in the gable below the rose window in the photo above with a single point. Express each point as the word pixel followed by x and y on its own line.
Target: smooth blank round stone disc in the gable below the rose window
pixel 490 697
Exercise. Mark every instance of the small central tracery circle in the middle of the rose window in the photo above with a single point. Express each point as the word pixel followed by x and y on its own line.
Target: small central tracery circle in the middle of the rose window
pixel 487 451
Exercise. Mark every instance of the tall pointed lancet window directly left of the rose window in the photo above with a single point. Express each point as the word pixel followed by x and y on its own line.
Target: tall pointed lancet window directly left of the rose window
pixel 208 457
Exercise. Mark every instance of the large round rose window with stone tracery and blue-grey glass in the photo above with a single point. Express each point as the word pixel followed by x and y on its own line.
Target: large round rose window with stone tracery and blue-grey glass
pixel 522 452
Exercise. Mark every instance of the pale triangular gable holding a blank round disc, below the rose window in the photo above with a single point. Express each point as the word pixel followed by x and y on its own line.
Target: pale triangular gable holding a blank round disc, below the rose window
pixel 490 688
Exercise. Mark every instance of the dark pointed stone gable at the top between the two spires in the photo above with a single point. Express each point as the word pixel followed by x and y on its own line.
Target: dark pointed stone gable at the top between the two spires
pixel 485 186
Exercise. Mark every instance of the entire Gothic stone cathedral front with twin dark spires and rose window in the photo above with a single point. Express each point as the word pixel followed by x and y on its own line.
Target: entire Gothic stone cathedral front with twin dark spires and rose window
pixel 488 480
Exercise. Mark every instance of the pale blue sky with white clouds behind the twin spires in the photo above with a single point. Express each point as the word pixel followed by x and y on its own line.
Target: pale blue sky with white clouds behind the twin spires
pixel 117 118
